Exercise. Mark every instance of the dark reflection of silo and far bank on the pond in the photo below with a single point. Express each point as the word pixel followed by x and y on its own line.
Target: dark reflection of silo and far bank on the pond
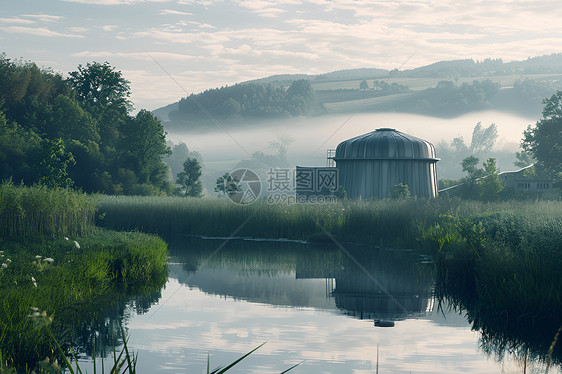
pixel 390 284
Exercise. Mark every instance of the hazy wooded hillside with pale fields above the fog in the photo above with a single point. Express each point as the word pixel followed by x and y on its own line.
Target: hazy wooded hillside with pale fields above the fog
pixel 444 89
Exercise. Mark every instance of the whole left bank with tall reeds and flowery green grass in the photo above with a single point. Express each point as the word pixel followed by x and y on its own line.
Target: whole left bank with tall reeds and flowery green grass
pixel 57 266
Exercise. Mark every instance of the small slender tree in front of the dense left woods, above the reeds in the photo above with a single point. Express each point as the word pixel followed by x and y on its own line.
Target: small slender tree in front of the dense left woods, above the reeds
pixel 54 163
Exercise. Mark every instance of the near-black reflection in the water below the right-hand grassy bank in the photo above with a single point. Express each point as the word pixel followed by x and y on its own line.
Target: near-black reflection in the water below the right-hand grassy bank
pixel 512 320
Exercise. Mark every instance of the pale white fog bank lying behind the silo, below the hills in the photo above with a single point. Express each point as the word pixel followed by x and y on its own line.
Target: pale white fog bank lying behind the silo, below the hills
pixel 223 149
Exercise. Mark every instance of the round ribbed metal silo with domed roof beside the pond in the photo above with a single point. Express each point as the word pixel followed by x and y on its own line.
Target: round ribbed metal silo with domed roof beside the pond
pixel 370 165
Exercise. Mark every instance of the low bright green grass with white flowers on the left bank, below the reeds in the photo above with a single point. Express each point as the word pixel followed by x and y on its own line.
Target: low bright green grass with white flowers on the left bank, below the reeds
pixel 73 287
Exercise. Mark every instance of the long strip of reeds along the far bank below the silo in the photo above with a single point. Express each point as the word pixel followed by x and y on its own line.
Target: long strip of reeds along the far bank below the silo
pixel 387 222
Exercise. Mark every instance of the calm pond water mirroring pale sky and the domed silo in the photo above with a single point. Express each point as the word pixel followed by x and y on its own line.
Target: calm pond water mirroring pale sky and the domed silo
pixel 311 304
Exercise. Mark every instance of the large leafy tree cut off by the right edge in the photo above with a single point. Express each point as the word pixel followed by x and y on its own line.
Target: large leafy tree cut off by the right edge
pixel 544 141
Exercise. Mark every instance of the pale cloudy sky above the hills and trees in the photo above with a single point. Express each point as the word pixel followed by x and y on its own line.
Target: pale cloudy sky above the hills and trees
pixel 168 49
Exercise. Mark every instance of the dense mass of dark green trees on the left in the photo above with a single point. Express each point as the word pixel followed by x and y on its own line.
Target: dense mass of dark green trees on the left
pixel 78 131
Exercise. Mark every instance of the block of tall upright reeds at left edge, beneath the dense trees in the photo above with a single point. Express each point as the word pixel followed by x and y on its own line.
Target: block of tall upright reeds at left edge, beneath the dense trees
pixel 37 210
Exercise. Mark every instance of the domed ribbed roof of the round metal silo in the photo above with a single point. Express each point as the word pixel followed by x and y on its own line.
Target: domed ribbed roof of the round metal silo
pixel 385 143
